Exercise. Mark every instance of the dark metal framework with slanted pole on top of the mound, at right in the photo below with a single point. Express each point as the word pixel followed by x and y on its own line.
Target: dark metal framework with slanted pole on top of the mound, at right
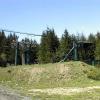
pixel 82 47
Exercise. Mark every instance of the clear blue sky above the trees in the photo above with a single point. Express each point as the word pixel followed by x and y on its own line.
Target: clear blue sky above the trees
pixel 34 16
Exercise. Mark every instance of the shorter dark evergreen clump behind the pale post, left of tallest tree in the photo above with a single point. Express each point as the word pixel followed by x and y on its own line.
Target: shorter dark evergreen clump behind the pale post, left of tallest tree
pixel 28 51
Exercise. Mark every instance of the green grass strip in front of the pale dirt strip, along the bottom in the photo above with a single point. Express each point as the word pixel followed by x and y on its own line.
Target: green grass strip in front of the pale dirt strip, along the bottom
pixel 93 95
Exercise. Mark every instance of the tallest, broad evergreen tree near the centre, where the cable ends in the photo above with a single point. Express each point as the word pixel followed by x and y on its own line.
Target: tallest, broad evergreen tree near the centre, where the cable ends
pixel 48 47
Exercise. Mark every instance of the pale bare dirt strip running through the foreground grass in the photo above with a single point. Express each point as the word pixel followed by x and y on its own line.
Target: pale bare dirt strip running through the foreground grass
pixel 64 91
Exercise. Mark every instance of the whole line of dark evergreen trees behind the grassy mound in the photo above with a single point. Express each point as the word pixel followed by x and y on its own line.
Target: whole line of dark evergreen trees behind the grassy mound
pixel 51 49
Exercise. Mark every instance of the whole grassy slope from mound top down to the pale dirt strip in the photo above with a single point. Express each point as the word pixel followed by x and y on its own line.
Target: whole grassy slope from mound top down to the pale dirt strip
pixel 68 74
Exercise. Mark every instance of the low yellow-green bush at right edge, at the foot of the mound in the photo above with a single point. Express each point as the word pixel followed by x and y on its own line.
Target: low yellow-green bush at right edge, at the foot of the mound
pixel 93 73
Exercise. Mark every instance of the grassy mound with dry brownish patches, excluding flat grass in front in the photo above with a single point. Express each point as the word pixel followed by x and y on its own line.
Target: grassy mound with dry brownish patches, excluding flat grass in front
pixel 57 74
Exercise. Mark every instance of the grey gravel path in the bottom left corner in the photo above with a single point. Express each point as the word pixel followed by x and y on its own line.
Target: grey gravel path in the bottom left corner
pixel 7 94
